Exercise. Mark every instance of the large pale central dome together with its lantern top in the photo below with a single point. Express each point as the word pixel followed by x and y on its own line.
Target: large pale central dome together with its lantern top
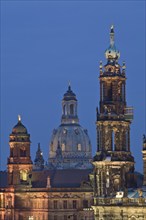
pixel 70 145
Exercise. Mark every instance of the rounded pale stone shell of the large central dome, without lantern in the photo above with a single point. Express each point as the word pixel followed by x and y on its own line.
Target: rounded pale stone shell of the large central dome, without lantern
pixel 73 141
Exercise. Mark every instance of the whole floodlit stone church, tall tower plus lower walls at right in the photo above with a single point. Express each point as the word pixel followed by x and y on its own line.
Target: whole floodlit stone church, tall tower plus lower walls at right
pixel 114 182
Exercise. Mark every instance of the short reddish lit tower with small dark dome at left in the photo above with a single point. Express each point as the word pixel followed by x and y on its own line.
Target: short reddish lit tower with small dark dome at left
pixel 19 162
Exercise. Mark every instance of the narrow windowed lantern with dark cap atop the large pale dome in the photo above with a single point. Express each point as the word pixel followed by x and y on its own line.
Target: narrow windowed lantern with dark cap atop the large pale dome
pixel 69 107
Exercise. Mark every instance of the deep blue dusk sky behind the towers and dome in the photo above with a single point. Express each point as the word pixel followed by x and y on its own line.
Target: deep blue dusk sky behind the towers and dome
pixel 45 44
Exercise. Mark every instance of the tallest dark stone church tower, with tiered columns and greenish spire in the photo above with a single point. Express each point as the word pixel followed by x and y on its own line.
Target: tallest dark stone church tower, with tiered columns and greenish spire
pixel 113 161
